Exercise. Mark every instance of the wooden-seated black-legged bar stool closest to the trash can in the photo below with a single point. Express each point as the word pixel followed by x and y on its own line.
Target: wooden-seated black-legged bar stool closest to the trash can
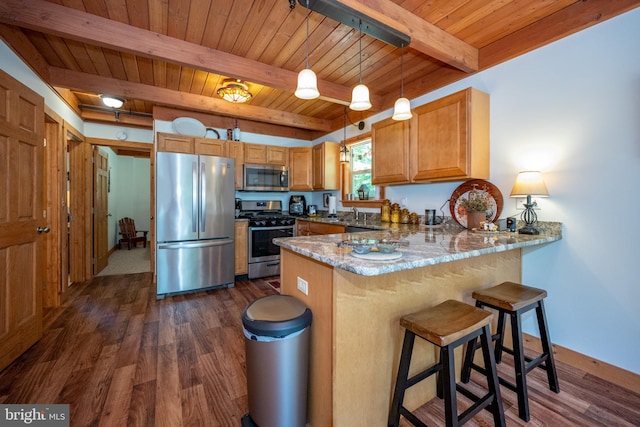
pixel 447 325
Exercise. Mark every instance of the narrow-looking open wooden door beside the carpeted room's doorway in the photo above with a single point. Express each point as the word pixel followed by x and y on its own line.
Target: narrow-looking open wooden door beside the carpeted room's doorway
pixel 100 209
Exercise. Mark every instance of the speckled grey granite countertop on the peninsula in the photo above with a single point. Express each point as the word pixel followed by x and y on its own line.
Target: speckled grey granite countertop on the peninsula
pixel 421 245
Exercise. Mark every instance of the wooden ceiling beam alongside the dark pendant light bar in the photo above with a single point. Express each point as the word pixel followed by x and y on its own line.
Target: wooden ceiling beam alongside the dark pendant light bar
pixel 425 37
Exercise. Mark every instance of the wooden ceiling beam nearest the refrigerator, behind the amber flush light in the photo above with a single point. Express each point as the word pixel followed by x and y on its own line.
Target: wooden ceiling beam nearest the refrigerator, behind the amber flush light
pixel 97 84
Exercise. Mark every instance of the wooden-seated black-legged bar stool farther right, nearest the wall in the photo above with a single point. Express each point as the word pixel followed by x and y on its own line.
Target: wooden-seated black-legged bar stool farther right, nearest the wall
pixel 513 299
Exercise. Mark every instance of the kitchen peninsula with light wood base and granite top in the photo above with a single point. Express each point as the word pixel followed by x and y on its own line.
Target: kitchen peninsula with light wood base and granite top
pixel 357 303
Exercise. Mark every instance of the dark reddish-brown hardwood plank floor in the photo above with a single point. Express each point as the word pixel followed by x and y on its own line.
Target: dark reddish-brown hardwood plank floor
pixel 119 357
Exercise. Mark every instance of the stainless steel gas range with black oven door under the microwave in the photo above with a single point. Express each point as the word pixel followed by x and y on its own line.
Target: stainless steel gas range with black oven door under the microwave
pixel 266 222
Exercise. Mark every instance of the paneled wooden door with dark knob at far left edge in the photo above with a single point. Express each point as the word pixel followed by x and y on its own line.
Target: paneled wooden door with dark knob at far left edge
pixel 21 218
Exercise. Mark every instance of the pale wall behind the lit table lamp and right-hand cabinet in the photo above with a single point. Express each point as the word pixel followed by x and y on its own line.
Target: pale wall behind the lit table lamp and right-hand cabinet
pixel 572 110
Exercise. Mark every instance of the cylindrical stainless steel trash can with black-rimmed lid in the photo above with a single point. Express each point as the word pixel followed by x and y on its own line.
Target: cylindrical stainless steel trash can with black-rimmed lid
pixel 276 330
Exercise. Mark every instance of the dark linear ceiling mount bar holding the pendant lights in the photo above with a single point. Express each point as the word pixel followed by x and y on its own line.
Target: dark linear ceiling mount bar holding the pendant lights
pixel 351 17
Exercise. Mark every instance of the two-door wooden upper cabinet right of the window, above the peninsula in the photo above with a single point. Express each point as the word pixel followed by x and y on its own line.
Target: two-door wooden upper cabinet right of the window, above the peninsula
pixel 445 140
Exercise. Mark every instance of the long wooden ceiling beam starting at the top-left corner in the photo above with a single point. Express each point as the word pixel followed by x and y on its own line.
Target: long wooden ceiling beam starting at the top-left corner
pixel 73 24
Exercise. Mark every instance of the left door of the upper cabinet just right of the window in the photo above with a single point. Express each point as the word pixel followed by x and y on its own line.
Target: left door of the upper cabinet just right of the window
pixel 390 147
